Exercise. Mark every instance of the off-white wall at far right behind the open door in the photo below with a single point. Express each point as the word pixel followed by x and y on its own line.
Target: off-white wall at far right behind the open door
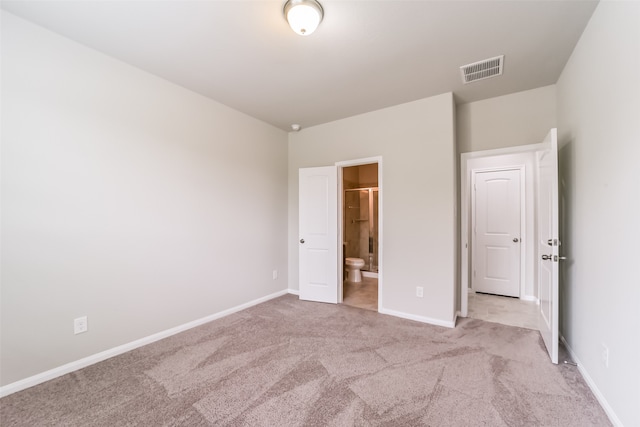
pixel 599 132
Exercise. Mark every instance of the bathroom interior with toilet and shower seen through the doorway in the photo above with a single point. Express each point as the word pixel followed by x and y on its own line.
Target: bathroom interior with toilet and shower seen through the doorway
pixel 360 235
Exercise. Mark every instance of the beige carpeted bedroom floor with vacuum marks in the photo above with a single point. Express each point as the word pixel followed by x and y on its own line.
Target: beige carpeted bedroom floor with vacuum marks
pixel 287 362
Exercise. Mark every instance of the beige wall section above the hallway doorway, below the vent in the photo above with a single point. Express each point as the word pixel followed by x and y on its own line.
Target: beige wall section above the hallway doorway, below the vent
pixel 520 118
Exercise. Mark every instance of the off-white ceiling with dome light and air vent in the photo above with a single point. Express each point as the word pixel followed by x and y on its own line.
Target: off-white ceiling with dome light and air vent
pixel 365 55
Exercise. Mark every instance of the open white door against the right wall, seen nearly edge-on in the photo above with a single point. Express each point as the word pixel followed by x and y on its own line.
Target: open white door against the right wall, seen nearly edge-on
pixel 548 242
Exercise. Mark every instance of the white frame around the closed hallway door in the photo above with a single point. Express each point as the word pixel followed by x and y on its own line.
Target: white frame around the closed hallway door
pixel 523 218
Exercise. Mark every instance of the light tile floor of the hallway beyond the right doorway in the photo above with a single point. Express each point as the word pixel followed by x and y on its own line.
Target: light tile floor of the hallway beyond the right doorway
pixel 504 310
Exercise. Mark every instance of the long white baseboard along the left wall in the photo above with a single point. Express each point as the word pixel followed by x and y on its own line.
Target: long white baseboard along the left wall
pixel 115 351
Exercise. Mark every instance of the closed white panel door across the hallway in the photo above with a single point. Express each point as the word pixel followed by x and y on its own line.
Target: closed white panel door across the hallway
pixel 496 254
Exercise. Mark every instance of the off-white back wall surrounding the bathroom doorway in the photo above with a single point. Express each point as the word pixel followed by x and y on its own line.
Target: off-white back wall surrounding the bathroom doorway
pixel 416 142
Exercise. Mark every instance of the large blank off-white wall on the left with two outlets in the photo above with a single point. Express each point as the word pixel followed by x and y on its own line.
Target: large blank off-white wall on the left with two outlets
pixel 127 199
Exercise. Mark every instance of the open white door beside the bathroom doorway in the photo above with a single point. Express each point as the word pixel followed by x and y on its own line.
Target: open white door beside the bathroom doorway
pixel 318 239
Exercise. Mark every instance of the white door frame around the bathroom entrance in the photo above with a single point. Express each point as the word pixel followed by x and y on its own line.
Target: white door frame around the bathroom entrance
pixel 340 166
